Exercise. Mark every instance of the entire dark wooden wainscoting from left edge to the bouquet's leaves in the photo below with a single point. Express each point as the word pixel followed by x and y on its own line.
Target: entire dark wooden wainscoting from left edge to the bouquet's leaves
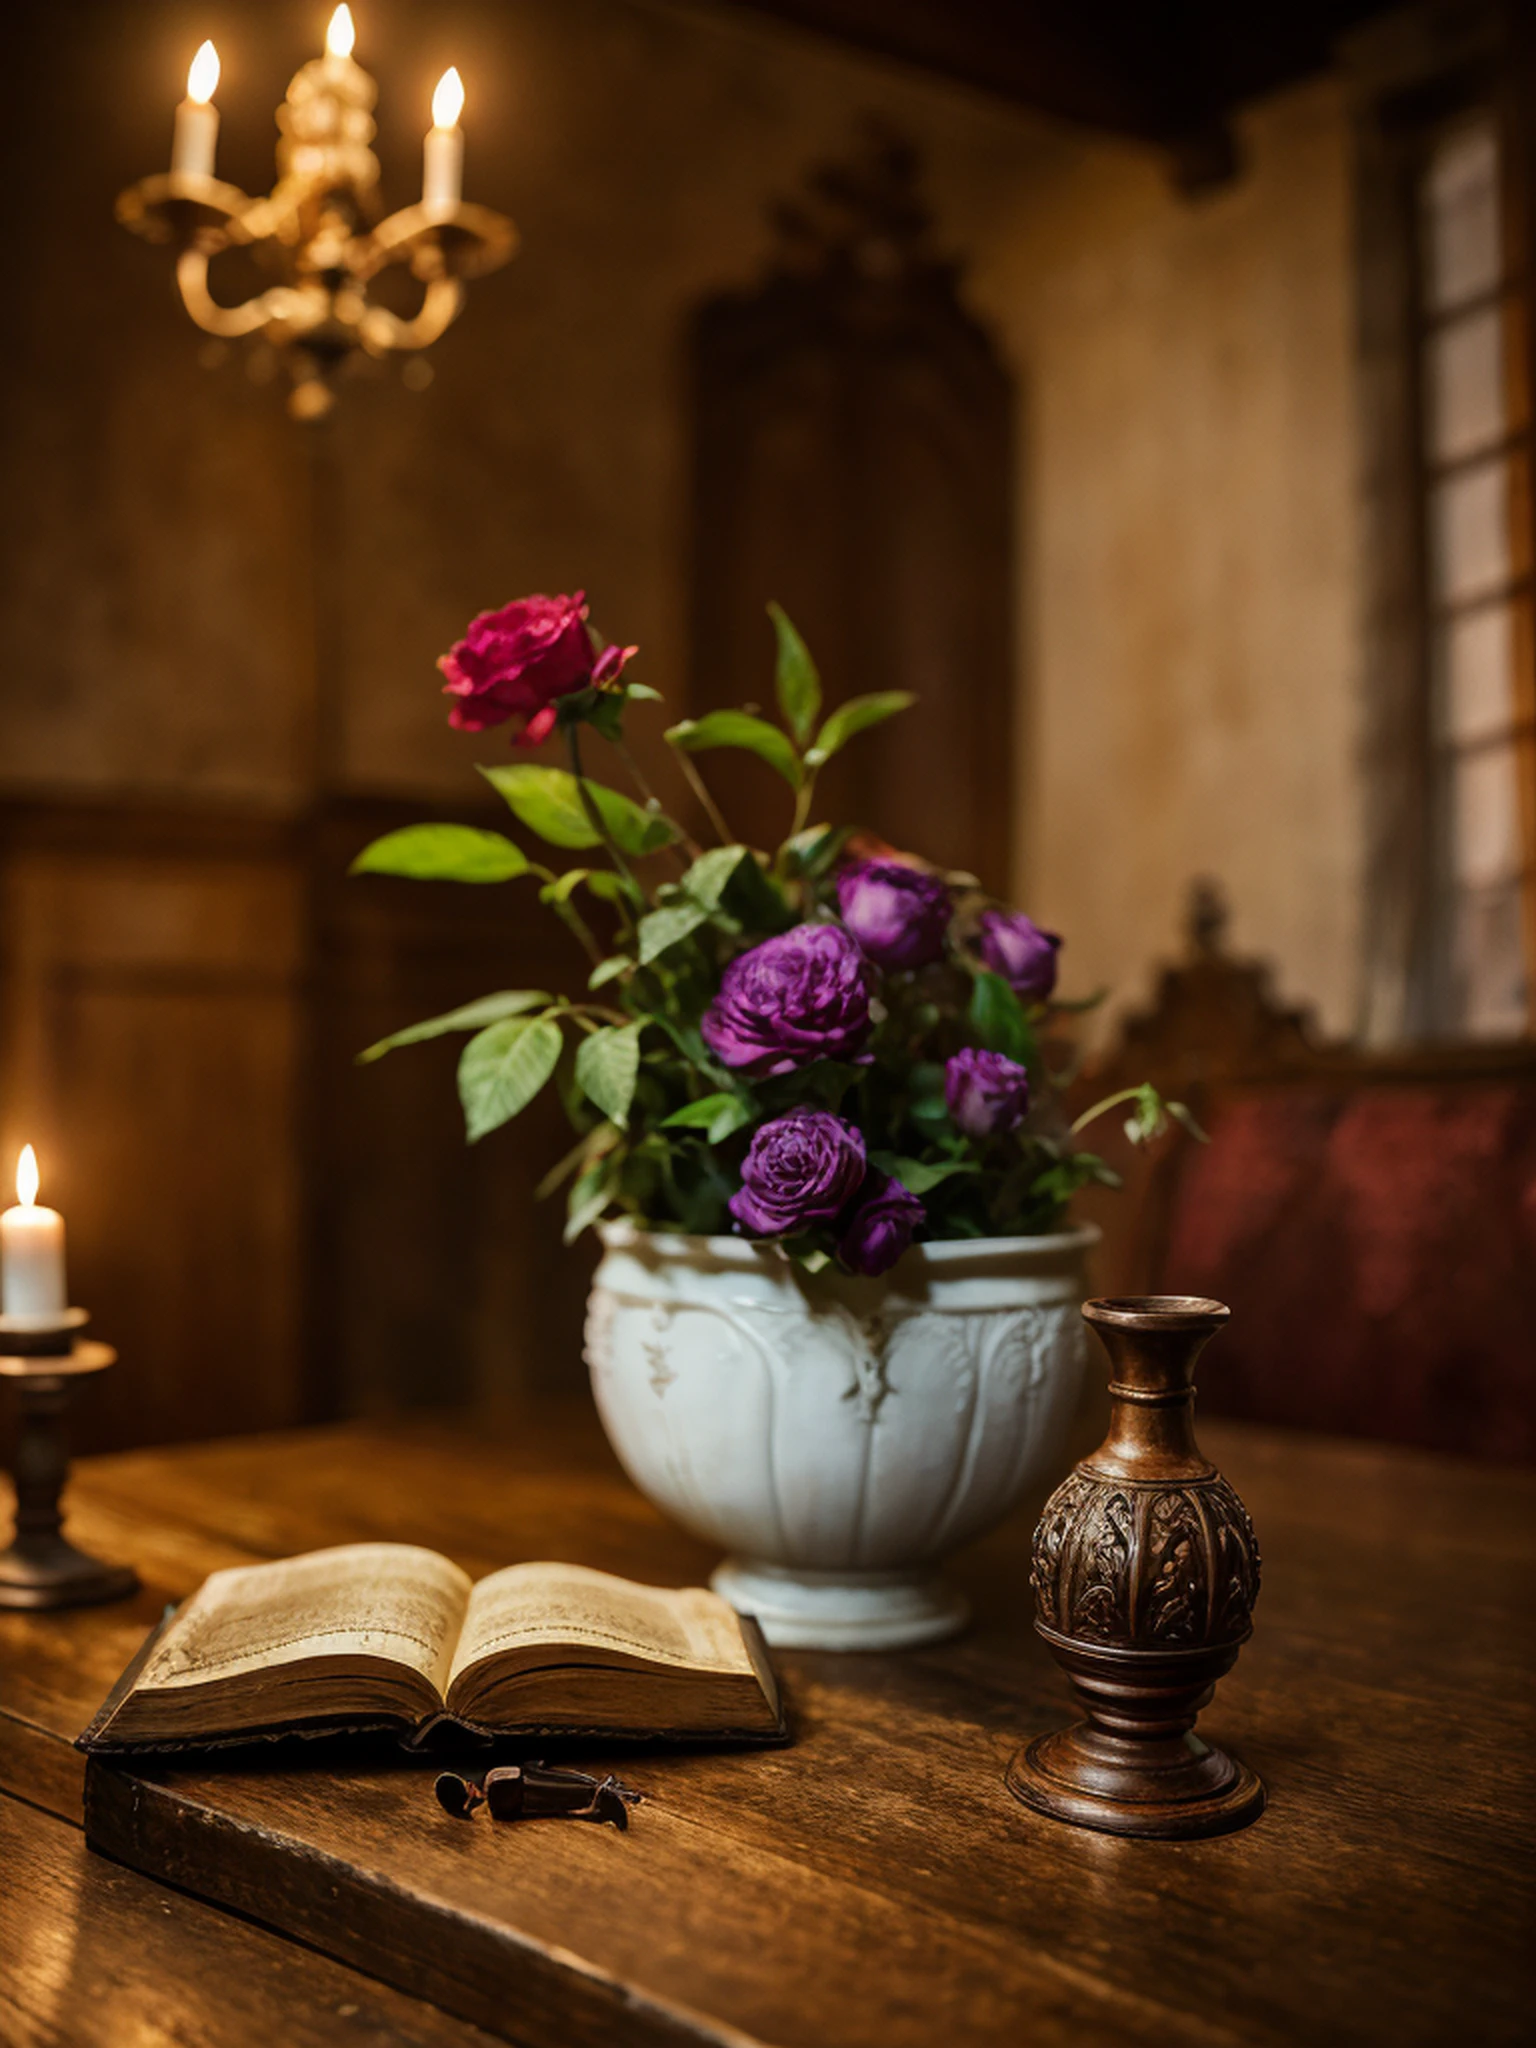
pixel 267 1232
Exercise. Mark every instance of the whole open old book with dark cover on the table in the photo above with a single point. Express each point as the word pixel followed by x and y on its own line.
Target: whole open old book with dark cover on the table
pixel 382 1635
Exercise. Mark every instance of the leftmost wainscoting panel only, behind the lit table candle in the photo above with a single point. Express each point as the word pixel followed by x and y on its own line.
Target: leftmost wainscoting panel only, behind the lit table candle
pixel 155 1056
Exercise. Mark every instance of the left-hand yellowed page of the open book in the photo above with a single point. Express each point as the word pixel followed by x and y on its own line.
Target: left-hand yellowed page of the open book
pixel 359 1601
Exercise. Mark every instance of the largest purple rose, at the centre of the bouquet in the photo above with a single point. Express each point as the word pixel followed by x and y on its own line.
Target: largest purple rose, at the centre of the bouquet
pixel 792 1000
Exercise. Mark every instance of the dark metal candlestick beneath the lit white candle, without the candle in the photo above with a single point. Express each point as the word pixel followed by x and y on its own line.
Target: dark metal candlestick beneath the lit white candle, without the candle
pixel 42 1568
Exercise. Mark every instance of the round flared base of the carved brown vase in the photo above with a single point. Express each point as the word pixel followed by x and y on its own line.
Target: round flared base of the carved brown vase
pixel 1209 1795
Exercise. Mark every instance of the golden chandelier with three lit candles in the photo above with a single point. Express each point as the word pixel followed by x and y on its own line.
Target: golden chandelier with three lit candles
pixel 321 226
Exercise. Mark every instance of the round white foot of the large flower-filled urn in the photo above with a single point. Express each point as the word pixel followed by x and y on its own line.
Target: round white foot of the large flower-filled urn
pixel 826 1611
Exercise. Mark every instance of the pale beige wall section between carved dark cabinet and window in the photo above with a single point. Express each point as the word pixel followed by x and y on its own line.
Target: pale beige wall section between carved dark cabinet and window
pixel 1189 587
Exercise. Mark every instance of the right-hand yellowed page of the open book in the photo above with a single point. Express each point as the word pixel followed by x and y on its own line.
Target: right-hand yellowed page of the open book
pixel 570 1605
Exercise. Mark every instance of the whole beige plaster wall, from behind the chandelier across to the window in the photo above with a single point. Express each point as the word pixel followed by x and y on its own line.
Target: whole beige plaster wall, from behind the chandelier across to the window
pixel 1187 632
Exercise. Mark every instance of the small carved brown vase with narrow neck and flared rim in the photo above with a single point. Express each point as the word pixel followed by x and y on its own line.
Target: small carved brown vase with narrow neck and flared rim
pixel 1146 1574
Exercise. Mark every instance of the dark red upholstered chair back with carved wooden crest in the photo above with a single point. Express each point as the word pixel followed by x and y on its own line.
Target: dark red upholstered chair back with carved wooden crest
pixel 1371 1220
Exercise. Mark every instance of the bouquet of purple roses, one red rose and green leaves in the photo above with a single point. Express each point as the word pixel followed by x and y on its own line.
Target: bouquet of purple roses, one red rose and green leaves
pixel 830 1046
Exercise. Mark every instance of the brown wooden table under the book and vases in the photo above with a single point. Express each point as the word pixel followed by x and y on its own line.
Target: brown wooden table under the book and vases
pixel 871 1885
